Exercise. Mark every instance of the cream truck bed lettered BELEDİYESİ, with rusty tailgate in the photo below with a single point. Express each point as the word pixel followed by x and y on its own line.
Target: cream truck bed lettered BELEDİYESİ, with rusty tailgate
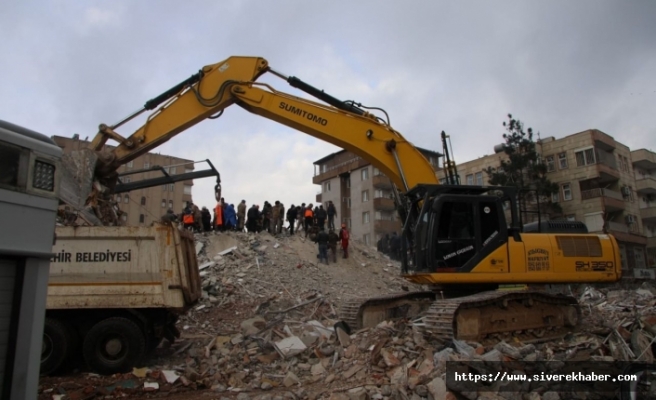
pixel 123 267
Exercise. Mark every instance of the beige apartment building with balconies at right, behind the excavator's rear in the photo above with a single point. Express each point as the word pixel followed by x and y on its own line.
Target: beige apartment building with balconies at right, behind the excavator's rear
pixel 603 184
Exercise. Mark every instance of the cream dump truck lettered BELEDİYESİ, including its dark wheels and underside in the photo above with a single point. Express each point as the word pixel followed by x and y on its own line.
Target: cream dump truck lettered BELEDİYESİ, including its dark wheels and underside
pixel 115 292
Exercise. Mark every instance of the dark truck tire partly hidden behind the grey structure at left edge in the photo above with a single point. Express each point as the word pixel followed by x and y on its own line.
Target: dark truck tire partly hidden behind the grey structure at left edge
pixel 56 346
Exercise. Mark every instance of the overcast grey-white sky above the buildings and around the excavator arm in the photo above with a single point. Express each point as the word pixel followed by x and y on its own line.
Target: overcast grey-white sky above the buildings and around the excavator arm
pixel 458 66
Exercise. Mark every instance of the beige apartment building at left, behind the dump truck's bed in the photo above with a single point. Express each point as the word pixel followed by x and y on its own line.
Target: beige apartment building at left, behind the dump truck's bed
pixel 144 206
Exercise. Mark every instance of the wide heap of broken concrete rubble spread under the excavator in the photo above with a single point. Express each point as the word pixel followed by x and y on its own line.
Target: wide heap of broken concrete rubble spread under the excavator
pixel 266 327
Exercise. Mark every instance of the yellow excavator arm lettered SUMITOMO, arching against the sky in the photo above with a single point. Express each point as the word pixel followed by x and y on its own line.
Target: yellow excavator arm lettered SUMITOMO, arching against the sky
pixel 232 81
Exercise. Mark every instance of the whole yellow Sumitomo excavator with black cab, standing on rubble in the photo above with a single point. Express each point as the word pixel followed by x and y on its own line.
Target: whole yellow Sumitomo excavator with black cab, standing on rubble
pixel 461 241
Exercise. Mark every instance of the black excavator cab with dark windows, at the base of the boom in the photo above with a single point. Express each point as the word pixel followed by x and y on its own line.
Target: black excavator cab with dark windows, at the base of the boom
pixel 458 226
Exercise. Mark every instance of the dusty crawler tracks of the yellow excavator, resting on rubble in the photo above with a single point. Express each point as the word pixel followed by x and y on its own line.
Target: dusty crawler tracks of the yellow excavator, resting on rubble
pixel 528 315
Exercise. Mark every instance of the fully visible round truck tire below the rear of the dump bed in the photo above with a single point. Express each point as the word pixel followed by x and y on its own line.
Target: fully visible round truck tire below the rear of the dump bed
pixel 114 345
